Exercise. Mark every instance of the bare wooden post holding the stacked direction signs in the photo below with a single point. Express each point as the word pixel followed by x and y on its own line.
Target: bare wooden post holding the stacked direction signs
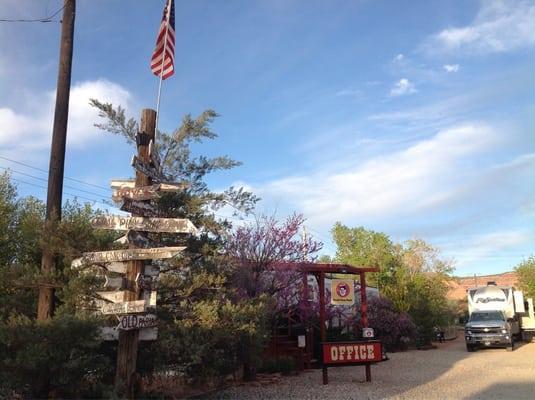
pixel 126 377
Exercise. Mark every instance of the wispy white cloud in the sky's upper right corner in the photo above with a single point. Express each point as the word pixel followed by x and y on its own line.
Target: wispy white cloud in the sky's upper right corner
pixel 499 26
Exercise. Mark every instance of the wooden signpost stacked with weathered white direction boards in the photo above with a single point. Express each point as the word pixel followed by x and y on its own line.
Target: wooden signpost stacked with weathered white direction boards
pixel 135 294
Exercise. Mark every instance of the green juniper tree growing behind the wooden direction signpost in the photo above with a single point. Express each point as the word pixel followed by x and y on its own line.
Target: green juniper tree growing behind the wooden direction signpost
pixel 206 329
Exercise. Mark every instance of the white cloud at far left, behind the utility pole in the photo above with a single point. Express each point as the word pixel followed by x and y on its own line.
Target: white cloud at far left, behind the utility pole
pixel 33 126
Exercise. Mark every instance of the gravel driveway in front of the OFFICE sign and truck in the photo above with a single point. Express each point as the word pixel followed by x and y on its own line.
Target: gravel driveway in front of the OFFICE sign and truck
pixel 449 372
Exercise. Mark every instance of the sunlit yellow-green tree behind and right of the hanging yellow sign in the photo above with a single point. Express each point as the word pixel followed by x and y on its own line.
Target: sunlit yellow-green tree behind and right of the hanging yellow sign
pixel 412 275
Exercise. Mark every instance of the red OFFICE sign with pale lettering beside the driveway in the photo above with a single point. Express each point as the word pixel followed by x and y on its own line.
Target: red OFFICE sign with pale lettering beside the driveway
pixel 351 353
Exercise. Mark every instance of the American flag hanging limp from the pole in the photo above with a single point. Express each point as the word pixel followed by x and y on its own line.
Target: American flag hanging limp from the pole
pixel 165 43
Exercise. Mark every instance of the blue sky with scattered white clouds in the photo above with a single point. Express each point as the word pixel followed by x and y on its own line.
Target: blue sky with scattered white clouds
pixel 415 119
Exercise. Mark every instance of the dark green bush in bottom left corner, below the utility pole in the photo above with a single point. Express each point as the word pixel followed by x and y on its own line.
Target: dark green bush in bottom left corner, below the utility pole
pixel 60 356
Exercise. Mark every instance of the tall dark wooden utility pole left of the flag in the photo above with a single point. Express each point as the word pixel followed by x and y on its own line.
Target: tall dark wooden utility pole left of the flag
pixel 45 307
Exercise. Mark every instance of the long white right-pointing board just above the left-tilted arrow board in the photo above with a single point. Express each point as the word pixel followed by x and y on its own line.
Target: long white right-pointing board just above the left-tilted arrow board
pixel 117 222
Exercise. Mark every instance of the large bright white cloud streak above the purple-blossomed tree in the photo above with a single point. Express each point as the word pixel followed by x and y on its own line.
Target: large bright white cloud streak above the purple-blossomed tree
pixel 397 184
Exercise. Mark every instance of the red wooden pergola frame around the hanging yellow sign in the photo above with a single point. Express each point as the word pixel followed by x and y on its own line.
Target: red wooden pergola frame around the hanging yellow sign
pixel 319 270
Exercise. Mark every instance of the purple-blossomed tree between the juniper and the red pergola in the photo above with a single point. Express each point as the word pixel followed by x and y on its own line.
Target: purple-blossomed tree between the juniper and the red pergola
pixel 255 248
